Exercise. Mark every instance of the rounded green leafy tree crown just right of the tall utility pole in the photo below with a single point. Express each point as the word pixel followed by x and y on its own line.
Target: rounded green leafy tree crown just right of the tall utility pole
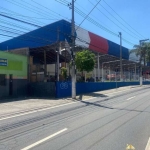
pixel 85 61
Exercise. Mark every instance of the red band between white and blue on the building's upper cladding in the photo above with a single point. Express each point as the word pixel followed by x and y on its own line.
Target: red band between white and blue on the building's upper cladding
pixel 98 43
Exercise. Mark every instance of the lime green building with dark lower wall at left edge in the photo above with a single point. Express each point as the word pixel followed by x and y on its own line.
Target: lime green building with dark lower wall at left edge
pixel 13 75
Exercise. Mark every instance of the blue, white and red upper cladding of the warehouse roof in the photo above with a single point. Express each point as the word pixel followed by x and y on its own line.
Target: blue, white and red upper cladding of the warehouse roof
pixel 61 31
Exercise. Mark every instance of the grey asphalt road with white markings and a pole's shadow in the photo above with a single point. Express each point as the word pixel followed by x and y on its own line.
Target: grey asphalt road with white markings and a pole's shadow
pixel 109 122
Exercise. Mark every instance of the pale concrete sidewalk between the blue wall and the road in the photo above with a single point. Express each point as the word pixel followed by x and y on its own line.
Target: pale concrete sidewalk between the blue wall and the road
pixel 13 107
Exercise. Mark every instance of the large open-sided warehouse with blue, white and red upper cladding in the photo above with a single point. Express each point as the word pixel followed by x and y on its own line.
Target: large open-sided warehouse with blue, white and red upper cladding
pixel 48 49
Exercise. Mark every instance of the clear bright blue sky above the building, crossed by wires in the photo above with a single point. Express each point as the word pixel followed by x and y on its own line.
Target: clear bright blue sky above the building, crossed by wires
pixel 129 17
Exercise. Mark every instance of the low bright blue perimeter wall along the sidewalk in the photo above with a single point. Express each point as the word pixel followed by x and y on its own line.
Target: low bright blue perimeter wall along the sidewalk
pixel 63 89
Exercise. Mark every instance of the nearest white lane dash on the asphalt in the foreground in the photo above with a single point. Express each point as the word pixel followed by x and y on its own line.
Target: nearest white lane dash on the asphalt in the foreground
pixel 43 140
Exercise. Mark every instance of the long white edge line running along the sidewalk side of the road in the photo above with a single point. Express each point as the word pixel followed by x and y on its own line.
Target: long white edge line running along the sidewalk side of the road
pixel 18 115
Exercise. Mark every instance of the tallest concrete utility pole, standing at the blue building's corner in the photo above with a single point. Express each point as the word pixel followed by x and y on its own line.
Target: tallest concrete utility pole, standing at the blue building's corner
pixel 73 56
